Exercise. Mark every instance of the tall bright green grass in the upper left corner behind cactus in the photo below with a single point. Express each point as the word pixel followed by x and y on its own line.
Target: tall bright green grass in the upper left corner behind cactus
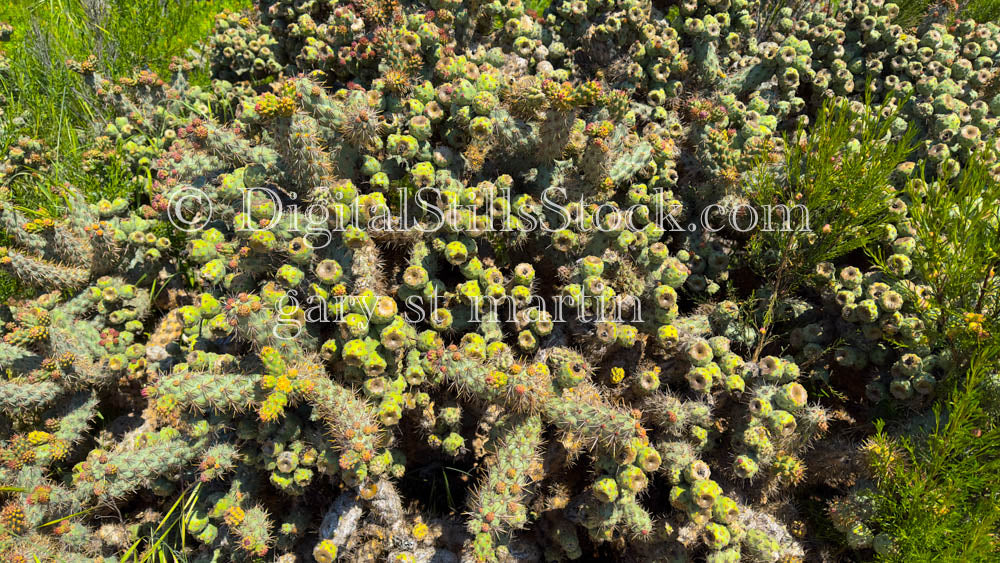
pixel 43 99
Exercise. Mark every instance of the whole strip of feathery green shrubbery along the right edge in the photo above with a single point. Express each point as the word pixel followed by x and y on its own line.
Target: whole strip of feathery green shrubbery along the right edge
pixel 938 488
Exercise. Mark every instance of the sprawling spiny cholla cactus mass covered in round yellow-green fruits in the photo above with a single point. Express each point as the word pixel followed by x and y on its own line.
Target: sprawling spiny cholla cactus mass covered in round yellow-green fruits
pixel 399 241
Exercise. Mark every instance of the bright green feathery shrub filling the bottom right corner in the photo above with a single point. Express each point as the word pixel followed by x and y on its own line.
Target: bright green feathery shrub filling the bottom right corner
pixel 938 490
